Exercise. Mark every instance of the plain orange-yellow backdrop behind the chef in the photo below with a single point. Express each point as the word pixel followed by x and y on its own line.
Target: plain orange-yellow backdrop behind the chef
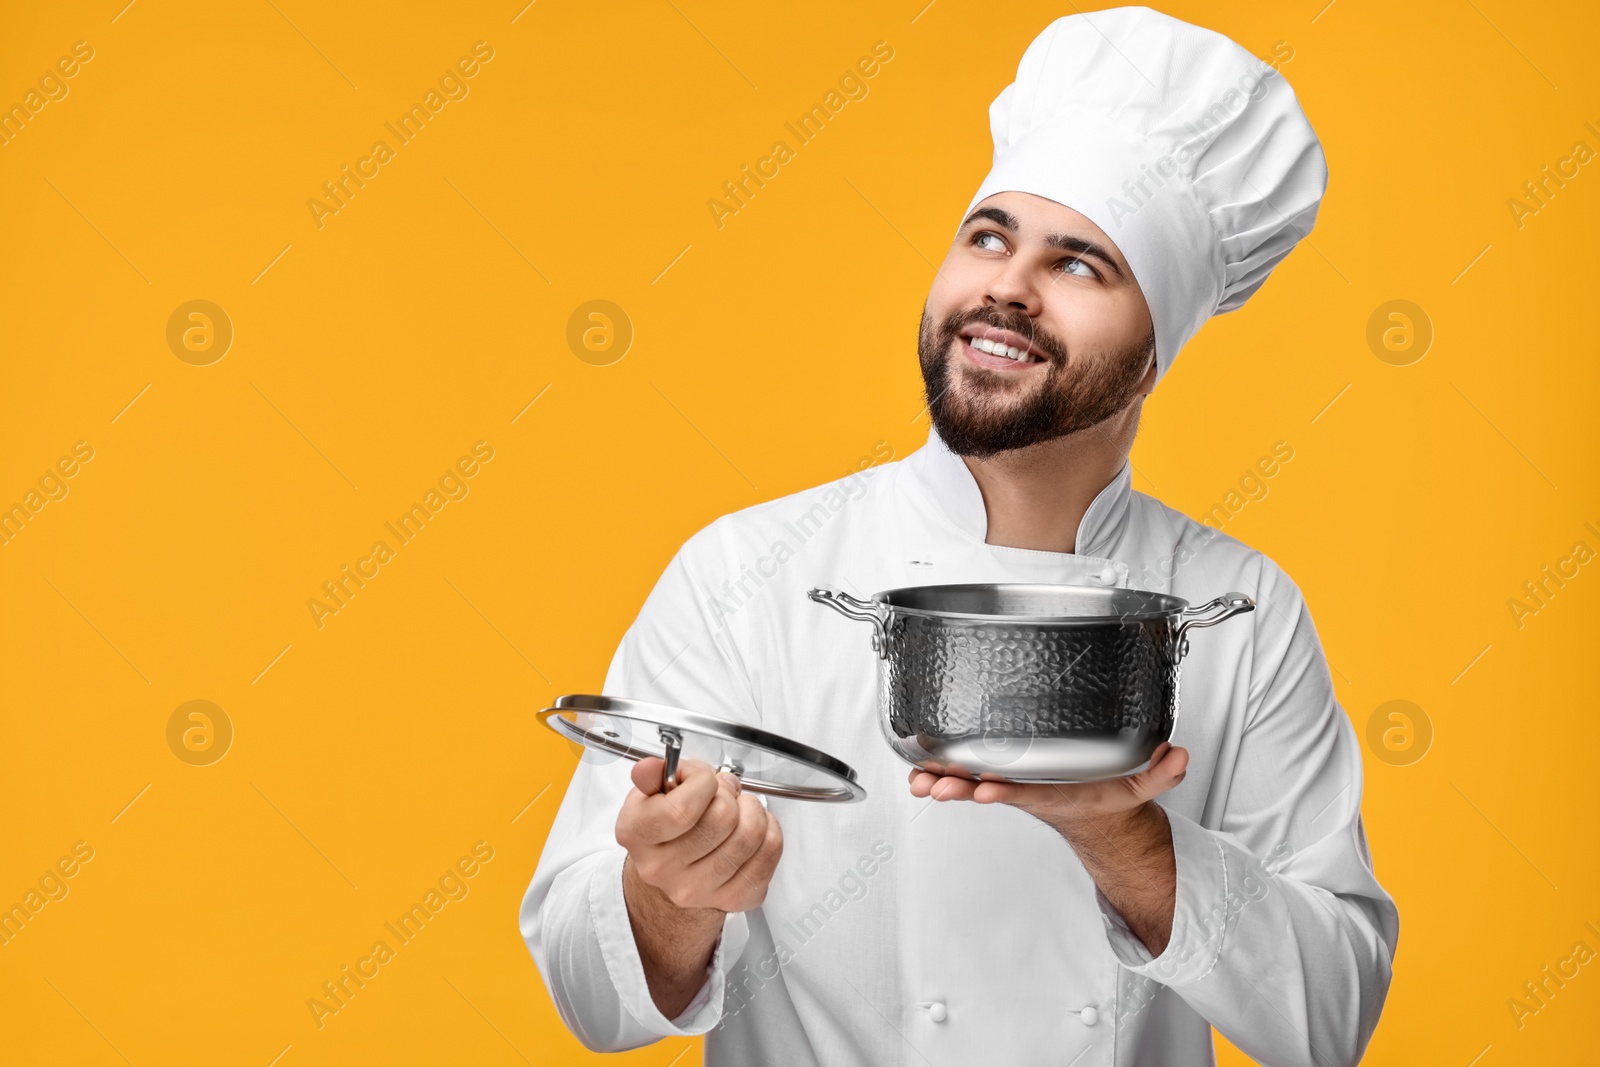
pixel 372 353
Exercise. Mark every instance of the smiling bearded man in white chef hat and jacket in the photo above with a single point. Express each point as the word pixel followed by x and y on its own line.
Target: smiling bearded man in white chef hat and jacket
pixel 1148 175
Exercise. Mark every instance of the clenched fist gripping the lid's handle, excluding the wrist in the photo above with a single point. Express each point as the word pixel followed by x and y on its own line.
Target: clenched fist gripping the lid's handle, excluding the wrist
pixel 706 844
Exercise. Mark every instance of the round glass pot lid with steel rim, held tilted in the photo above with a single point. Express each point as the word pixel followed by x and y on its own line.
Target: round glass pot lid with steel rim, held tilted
pixel 766 762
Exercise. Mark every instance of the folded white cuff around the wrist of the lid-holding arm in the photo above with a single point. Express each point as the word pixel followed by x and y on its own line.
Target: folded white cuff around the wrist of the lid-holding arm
pixel 615 935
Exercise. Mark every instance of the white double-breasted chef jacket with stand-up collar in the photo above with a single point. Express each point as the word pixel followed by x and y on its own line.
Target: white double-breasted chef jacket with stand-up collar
pixel 914 932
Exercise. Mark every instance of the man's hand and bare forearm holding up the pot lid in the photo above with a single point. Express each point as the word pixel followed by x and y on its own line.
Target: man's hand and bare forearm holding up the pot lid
pixel 694 855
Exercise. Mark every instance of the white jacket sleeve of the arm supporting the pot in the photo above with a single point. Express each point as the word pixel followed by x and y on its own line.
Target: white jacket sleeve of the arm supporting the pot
pixel 1282 937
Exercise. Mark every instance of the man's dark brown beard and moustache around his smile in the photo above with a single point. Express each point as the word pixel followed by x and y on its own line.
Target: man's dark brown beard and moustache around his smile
pixel 982 420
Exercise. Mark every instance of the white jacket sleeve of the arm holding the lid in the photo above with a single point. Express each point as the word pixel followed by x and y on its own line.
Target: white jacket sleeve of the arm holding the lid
pixel 679 652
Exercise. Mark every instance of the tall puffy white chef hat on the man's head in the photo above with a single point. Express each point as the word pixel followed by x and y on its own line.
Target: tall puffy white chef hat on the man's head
pixel 1188 151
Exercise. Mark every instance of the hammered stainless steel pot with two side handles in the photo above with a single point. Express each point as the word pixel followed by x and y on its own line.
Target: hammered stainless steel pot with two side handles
pixel 1030 684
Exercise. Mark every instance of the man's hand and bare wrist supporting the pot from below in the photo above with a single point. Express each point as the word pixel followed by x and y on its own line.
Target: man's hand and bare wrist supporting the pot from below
pixel 1118 829
